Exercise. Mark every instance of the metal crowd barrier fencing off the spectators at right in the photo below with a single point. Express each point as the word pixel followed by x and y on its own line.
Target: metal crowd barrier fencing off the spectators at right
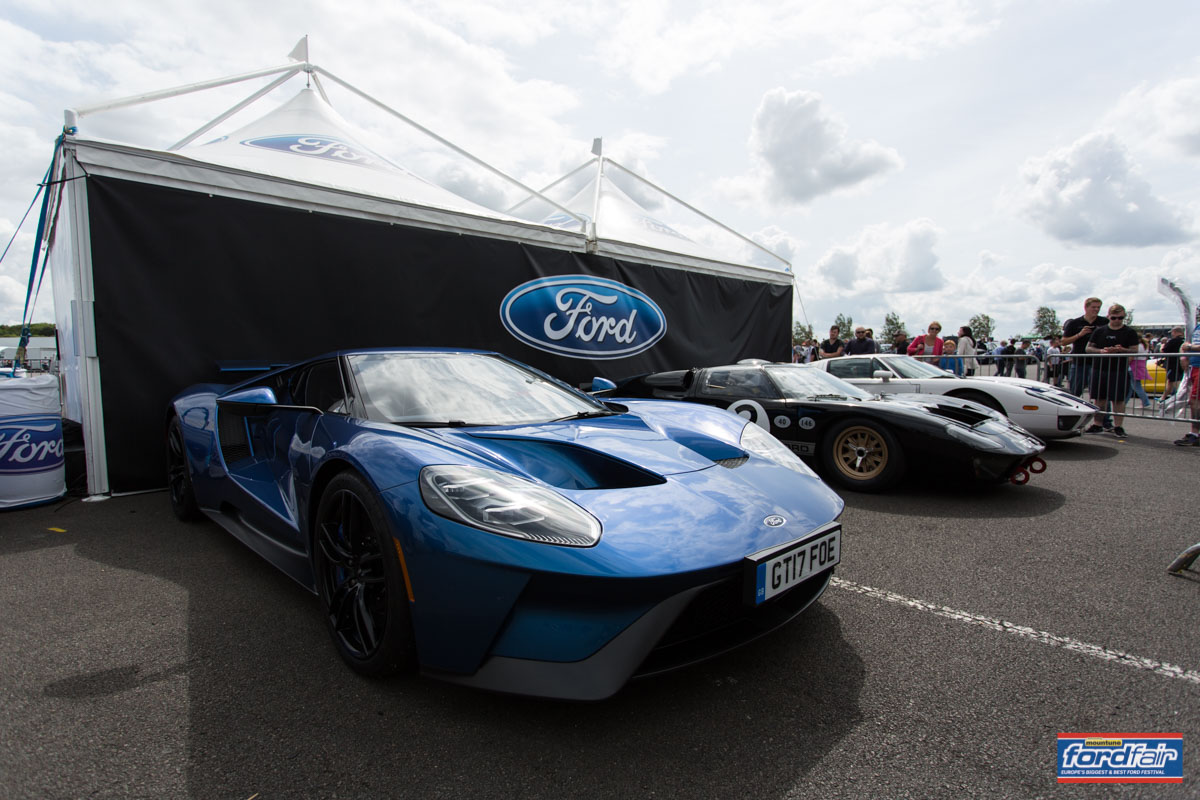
pixel 1162 396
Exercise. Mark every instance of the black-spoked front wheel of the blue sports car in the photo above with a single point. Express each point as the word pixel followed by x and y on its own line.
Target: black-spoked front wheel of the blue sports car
pixel 361 580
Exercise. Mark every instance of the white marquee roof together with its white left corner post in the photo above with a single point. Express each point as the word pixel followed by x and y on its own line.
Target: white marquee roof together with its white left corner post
pixel 305 157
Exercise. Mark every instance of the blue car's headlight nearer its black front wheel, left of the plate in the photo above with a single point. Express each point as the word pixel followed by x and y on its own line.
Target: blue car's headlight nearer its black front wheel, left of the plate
pixel 507 506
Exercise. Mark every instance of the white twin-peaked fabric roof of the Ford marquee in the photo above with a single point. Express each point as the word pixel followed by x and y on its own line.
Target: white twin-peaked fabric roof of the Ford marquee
pixel 305 142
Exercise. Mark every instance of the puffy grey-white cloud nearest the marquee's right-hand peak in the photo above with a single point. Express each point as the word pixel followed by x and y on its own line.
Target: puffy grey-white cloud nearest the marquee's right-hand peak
pixel 802 152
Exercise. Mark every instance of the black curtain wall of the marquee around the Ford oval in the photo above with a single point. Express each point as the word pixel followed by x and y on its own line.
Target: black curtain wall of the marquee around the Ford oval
pixel 185 280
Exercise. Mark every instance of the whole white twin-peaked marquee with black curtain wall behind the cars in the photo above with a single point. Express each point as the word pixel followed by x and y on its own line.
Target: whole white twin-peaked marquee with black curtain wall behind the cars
pixel 184 243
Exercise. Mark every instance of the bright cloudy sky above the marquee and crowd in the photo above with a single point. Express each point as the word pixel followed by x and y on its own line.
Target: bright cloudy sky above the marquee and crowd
pixel 939 159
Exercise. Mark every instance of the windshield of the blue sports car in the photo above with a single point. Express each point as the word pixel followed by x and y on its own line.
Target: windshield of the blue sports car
pixel 460 389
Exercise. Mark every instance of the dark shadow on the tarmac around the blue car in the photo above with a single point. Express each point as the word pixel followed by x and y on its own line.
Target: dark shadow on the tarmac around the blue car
pixel 273 711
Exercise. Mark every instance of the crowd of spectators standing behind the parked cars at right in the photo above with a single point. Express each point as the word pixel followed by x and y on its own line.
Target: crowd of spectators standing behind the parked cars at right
pixel 1111 381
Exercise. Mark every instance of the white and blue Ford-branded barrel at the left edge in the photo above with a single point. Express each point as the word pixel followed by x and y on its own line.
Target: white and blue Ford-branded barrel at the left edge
pixel 32 464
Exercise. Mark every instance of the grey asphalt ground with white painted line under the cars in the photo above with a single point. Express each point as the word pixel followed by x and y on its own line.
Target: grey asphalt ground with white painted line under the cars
pixel 146 658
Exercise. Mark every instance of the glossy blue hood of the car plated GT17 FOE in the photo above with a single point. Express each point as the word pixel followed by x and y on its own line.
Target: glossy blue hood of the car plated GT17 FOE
pixel 669 484
